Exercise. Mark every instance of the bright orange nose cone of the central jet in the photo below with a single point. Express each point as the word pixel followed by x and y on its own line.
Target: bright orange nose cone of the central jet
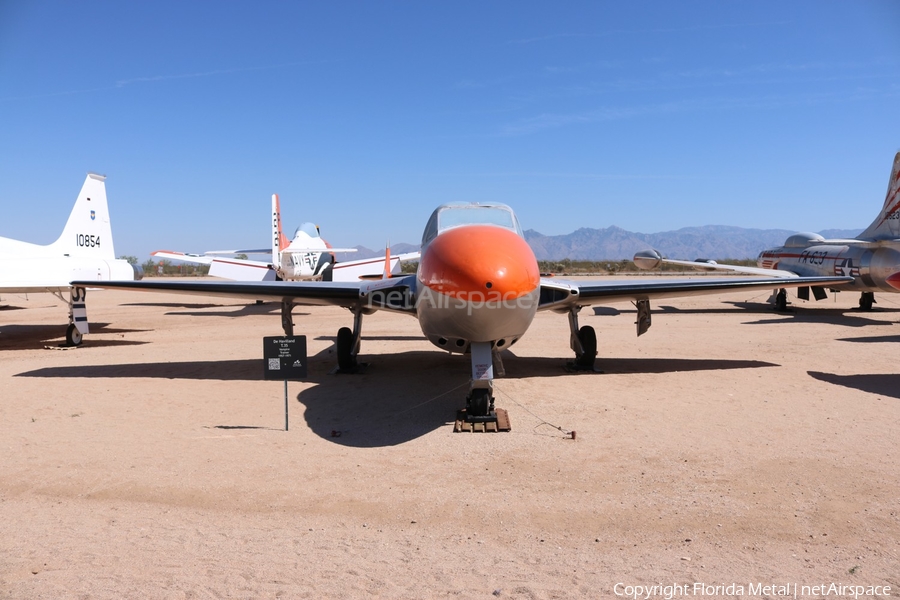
pixel 480 263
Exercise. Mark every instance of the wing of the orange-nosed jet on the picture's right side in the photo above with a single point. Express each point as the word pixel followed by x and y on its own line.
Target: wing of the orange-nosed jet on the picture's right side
pixel 561 295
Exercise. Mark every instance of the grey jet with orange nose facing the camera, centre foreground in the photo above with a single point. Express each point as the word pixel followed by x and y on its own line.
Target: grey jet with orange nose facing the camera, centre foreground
pixel 476 290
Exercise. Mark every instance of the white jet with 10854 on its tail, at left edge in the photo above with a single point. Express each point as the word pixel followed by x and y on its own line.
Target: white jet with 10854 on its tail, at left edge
pixel 84 251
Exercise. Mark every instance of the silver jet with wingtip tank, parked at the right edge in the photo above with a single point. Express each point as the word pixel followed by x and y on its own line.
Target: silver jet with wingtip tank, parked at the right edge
pixel 872 259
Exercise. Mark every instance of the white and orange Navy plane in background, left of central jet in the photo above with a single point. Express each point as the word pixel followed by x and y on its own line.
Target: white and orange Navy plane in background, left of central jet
pixel 307 257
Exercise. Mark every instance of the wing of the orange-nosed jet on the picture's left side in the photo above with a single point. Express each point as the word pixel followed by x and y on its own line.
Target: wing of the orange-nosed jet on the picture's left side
pixel 384 294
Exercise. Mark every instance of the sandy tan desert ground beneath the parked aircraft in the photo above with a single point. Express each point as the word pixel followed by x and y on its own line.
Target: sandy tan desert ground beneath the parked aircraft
pixel 728 445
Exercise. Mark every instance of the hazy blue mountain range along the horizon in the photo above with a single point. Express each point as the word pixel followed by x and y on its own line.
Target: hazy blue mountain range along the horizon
pixel 614 243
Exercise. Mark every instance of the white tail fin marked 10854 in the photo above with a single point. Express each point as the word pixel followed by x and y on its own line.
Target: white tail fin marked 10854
pixel 88 232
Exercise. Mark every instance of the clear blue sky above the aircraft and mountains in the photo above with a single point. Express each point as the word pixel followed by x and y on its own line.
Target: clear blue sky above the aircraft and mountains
pixel 364 116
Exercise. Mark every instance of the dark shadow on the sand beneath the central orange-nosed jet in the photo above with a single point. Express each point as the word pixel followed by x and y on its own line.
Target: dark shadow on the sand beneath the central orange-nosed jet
pixel 396 398
